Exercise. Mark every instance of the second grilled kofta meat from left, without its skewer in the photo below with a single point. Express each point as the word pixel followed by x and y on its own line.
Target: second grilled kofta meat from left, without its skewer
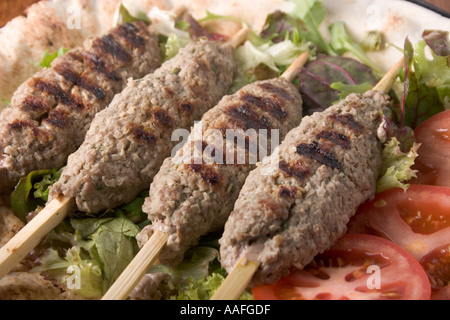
pixel 129 140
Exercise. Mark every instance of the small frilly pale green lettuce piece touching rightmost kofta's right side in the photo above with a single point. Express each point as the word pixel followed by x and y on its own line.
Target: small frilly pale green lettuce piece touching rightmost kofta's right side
pixel 396 169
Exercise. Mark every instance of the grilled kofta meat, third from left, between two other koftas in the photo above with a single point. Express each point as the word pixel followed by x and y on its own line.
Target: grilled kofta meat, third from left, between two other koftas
pixel 194 192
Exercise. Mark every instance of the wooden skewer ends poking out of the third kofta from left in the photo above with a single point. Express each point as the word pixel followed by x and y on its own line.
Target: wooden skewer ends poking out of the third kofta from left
pixel 151 249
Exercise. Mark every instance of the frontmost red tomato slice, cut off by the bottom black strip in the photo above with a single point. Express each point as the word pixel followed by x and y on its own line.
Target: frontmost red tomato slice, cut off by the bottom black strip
pixel 357 267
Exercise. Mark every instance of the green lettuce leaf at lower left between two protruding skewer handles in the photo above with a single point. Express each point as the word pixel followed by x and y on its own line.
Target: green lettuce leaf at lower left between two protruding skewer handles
pixel 95 253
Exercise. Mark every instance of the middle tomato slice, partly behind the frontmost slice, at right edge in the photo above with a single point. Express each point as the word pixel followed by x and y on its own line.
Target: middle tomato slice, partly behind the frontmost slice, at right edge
pixel 418 220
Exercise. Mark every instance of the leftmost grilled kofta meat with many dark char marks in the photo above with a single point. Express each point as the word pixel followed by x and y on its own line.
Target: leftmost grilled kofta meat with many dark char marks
pixel 51 112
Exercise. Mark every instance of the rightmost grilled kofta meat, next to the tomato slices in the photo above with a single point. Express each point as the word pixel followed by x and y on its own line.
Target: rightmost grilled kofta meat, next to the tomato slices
pixel 297 204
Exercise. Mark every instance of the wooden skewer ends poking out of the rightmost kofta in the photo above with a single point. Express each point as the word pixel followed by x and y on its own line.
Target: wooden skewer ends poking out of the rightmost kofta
pixel 239 278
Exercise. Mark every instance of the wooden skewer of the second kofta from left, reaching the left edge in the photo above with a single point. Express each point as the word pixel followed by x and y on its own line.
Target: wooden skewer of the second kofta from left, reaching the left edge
pixel 52 215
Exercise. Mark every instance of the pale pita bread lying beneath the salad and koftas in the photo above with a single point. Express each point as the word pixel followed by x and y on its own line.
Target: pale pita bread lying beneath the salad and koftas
pixel 44 27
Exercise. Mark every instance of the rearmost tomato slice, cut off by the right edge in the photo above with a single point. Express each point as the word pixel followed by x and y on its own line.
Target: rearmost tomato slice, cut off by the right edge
pixel 433 164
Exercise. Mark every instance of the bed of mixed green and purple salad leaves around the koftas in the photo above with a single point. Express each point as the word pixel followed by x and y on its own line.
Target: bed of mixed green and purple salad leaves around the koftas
pixel 102 247
